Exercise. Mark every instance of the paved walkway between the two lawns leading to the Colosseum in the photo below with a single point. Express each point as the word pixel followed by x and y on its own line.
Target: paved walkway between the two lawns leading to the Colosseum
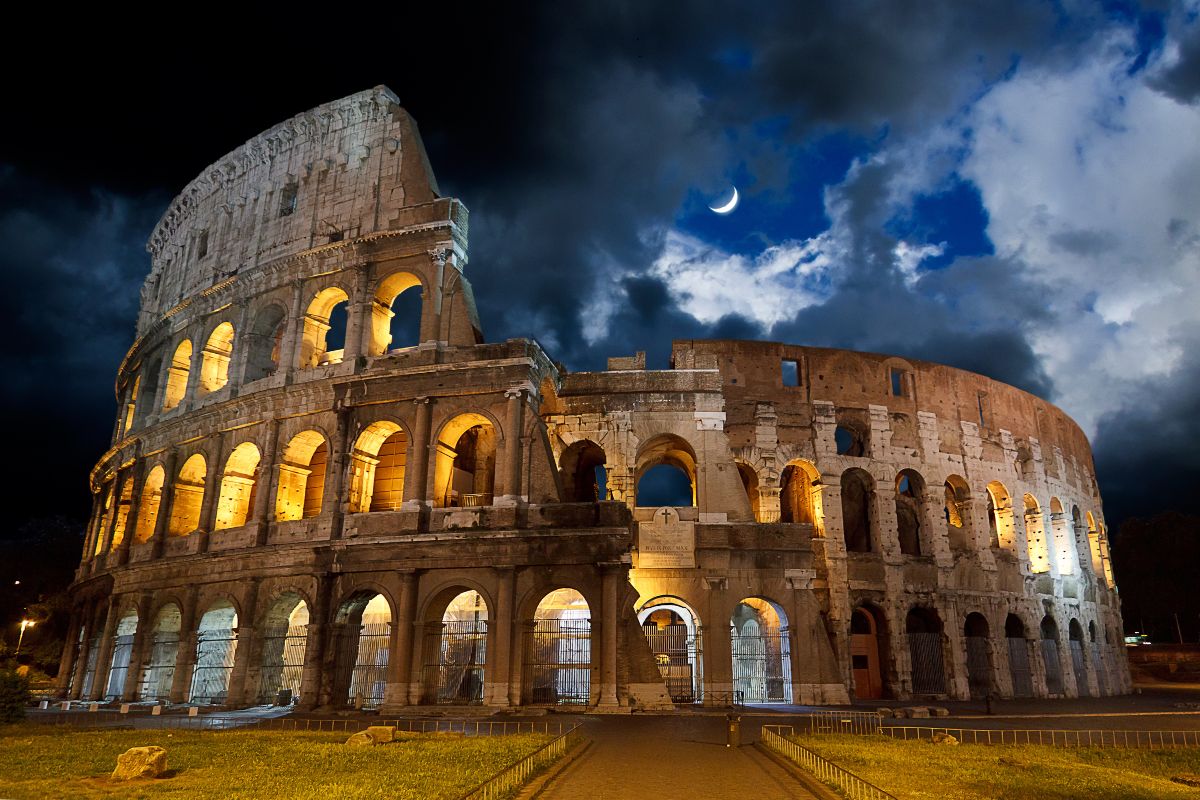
pixel 670 759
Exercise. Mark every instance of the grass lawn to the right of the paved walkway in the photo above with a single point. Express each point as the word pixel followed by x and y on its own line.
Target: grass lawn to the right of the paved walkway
pixel 914 771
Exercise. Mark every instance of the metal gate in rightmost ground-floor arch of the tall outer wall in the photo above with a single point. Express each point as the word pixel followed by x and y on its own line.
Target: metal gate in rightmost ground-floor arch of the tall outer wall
pixel 559 661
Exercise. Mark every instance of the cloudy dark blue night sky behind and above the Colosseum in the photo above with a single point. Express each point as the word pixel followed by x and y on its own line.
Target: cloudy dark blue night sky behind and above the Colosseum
pixel 1007 188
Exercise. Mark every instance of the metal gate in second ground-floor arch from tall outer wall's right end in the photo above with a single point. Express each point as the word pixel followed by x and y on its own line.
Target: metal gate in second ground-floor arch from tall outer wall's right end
pixel 455 658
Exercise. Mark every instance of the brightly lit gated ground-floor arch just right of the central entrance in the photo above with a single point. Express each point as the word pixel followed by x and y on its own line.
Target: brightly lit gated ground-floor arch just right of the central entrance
pixel 763 659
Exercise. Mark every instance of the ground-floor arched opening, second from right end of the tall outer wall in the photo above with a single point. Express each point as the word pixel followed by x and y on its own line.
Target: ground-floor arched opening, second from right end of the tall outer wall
pixel 457 652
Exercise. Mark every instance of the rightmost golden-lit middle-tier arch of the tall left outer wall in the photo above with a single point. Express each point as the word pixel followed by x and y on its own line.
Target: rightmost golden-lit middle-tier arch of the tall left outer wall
pixel 466 462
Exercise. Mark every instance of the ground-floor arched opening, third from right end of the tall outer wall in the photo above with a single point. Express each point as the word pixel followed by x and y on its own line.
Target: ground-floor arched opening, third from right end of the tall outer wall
pixel 367 621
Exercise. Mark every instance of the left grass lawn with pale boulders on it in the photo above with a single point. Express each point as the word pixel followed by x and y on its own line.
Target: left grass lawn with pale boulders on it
pixel 44 762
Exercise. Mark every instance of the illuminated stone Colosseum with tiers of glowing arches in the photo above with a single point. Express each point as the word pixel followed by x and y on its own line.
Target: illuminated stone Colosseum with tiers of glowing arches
pixel 328 490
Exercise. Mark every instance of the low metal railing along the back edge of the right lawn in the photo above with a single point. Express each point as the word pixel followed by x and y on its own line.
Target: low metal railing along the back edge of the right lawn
pixel 1131 739
